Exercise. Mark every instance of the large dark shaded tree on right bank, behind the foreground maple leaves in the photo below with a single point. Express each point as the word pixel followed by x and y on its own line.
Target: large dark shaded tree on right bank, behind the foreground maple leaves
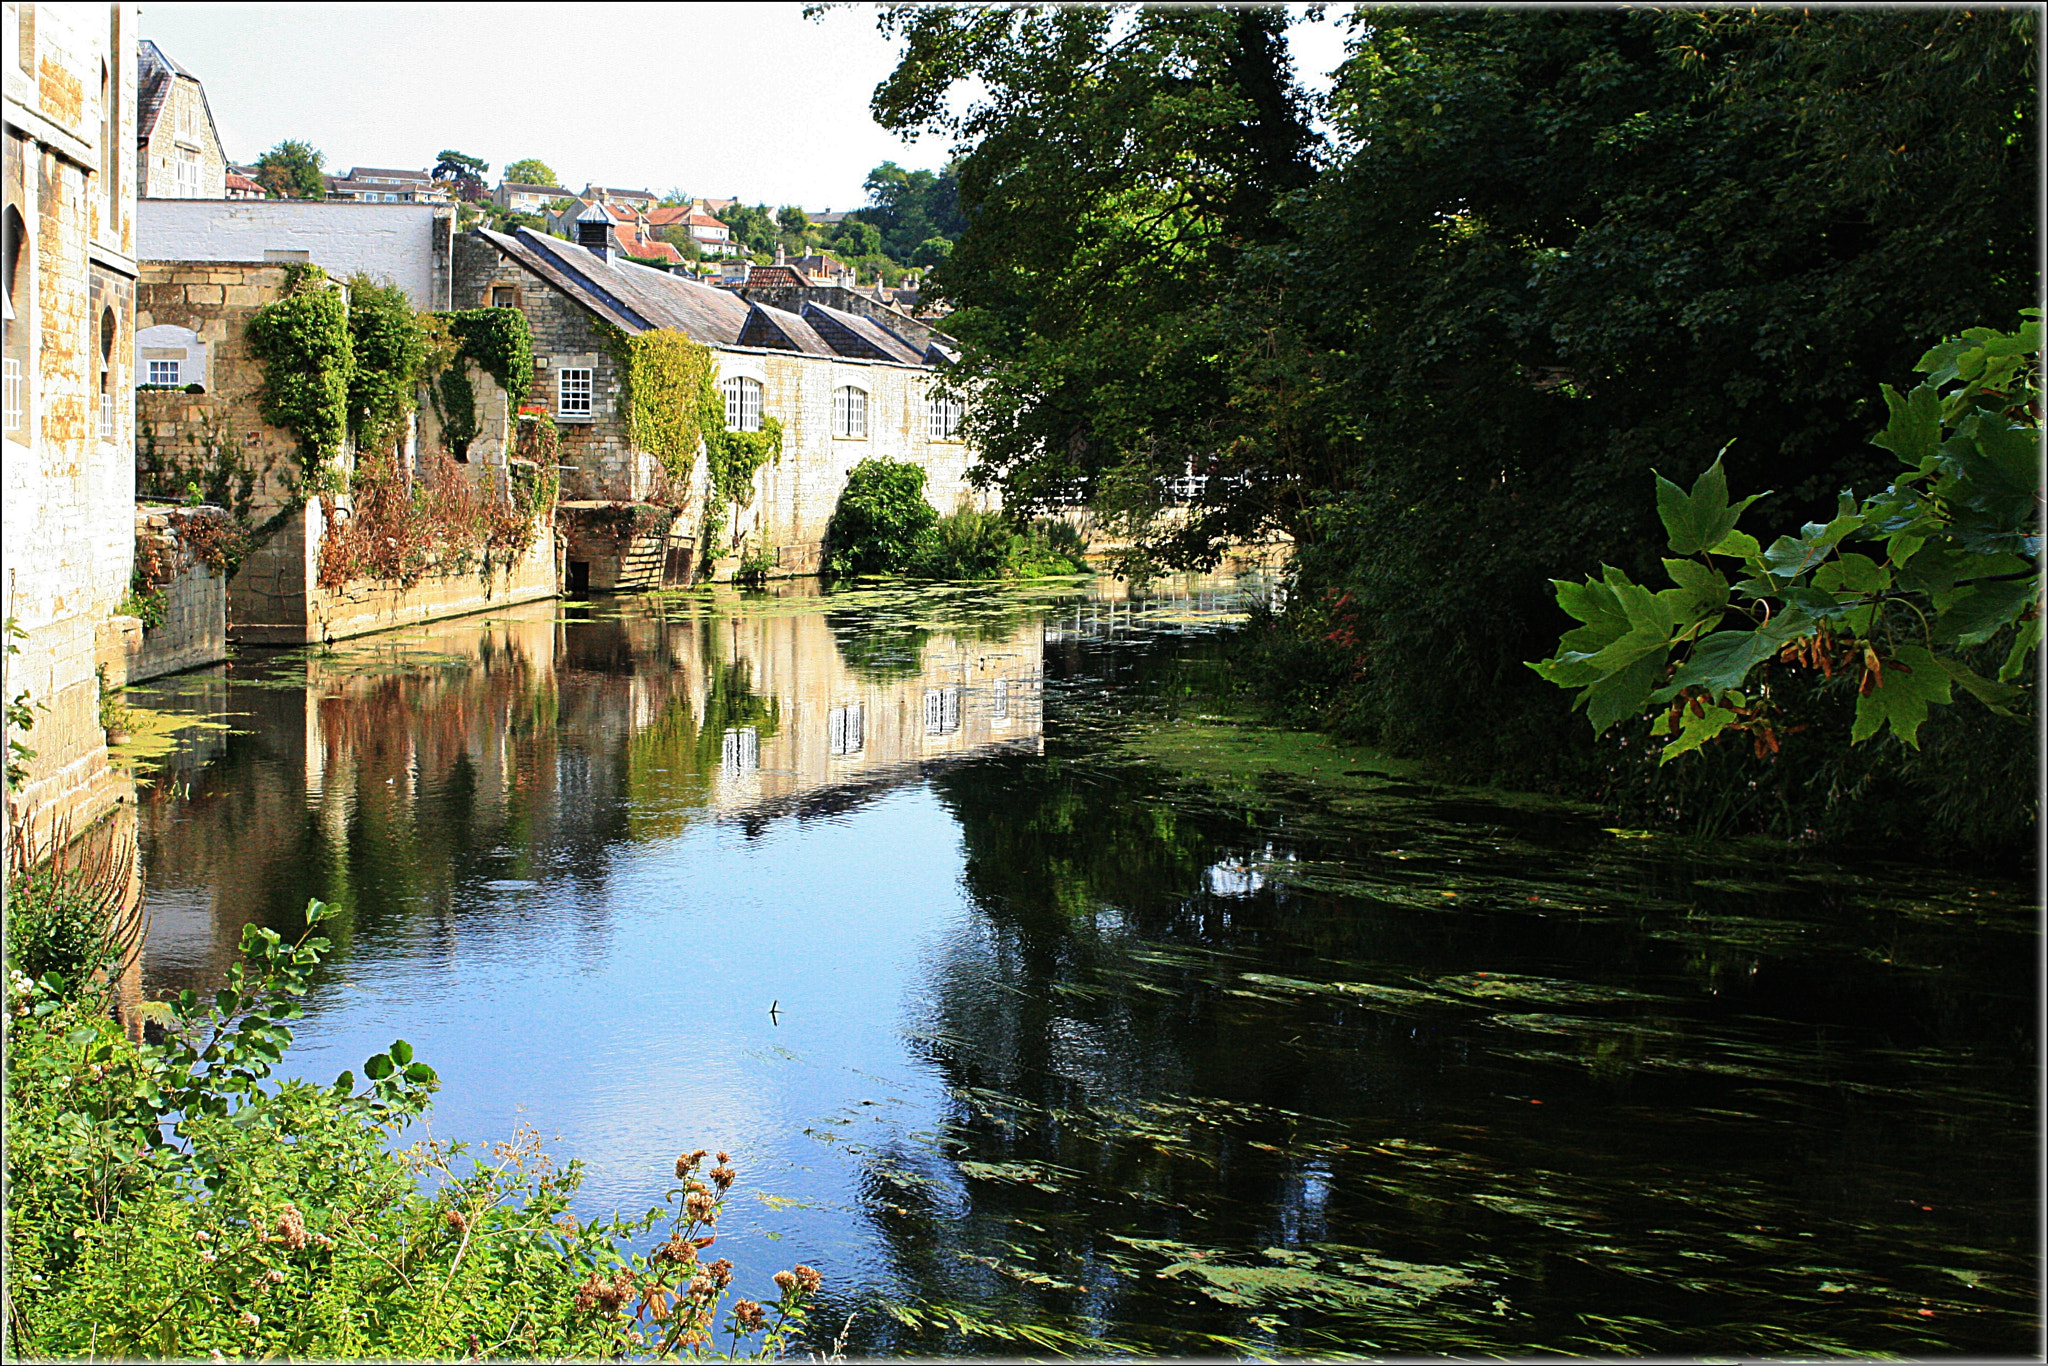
pixel 1566 249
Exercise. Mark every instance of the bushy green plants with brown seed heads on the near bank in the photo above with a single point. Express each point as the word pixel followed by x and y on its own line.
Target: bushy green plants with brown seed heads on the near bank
pixel 171 1197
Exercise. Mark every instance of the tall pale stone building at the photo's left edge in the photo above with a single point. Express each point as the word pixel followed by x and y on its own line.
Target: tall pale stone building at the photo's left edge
pixel 69 398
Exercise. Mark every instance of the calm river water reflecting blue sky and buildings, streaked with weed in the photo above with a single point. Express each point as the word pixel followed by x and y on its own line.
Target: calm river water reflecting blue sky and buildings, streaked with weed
pixel 1048 1009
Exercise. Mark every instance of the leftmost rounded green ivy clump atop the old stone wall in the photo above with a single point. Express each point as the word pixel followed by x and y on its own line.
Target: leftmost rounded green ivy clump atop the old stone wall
pixel 304 347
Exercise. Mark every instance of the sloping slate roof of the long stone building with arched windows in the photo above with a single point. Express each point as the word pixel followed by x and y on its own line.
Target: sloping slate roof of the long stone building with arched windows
pixel 638 298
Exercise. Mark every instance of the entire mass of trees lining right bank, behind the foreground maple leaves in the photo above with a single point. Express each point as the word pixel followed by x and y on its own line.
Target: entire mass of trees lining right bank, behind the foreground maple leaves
pixel 1443 345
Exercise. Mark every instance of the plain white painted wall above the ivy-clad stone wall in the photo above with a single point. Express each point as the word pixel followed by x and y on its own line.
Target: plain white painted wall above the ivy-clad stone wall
pixel 390 243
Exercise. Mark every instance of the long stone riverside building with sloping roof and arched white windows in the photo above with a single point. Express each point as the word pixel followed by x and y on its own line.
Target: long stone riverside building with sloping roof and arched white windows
pixel 843 386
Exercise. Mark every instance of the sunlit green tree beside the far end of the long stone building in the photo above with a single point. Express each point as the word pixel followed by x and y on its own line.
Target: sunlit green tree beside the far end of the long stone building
pixel 1115 173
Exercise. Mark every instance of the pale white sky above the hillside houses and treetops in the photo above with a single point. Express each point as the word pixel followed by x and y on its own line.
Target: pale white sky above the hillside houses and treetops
pixel 712 99
